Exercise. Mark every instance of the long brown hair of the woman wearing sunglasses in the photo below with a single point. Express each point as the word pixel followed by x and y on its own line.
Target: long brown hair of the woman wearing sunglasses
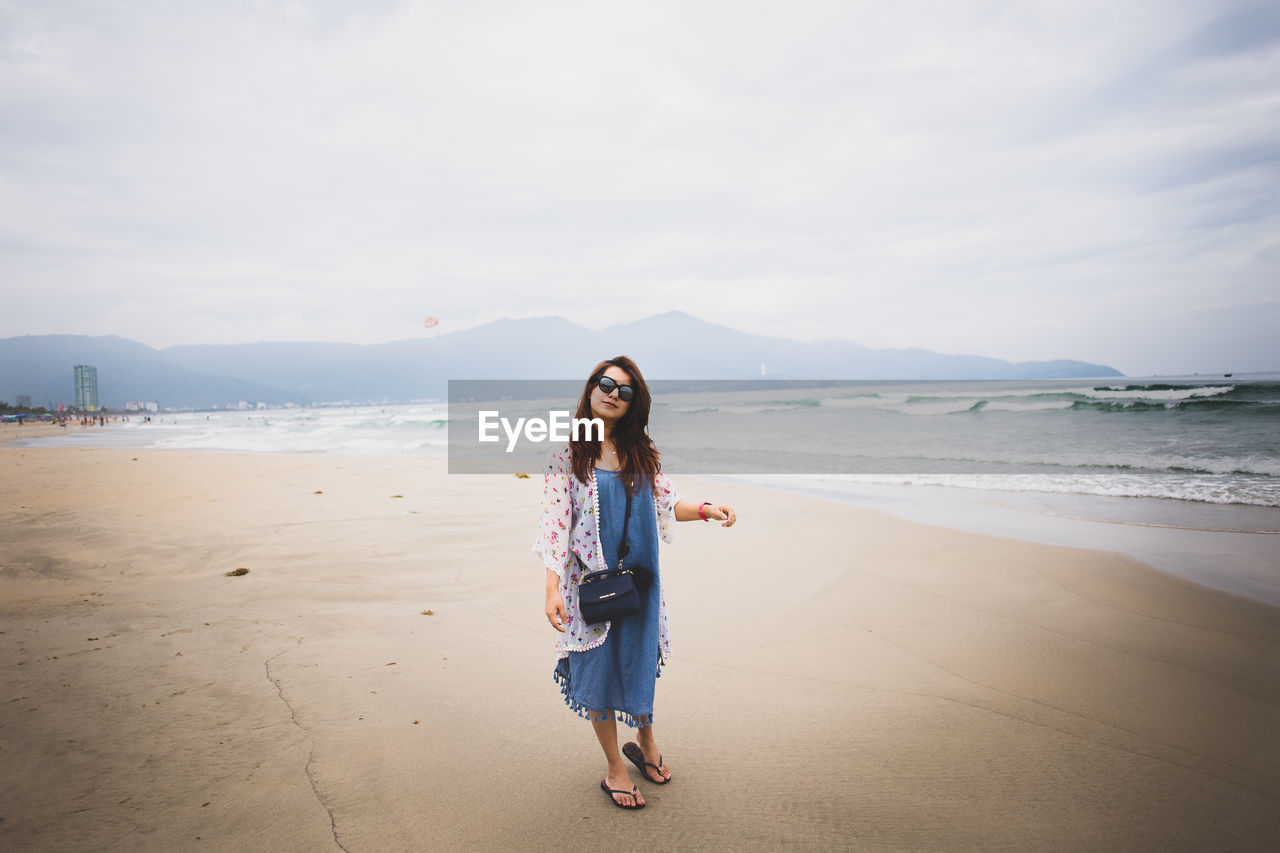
pixel 638 457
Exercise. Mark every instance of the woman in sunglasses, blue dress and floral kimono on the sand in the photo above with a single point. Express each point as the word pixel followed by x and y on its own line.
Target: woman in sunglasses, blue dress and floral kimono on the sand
pixel 607 670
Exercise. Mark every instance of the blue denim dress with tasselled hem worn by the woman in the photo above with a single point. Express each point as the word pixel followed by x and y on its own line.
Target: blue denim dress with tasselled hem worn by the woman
pixel 616 679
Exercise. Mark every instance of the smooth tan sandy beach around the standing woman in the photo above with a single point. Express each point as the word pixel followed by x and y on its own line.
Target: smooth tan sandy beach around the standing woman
pixel 381 679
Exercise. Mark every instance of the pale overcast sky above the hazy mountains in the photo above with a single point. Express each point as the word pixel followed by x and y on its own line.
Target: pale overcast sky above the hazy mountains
pixel 1023 180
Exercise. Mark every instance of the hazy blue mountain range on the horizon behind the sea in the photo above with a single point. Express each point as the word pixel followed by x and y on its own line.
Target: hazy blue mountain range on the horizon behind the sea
pixel 668 346
